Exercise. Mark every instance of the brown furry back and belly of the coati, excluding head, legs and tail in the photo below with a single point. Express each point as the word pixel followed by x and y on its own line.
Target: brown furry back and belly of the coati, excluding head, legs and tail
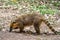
pixel 28 19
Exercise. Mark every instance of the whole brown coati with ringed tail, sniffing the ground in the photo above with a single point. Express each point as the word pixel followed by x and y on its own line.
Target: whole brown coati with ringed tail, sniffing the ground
pixel 34 19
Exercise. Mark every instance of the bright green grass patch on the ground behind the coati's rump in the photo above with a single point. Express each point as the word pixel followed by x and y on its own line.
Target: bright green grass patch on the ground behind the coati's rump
pixel 43 9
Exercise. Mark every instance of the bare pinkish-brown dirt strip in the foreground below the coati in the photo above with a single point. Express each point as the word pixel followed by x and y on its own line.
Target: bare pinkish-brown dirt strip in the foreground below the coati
pixel 22 36
